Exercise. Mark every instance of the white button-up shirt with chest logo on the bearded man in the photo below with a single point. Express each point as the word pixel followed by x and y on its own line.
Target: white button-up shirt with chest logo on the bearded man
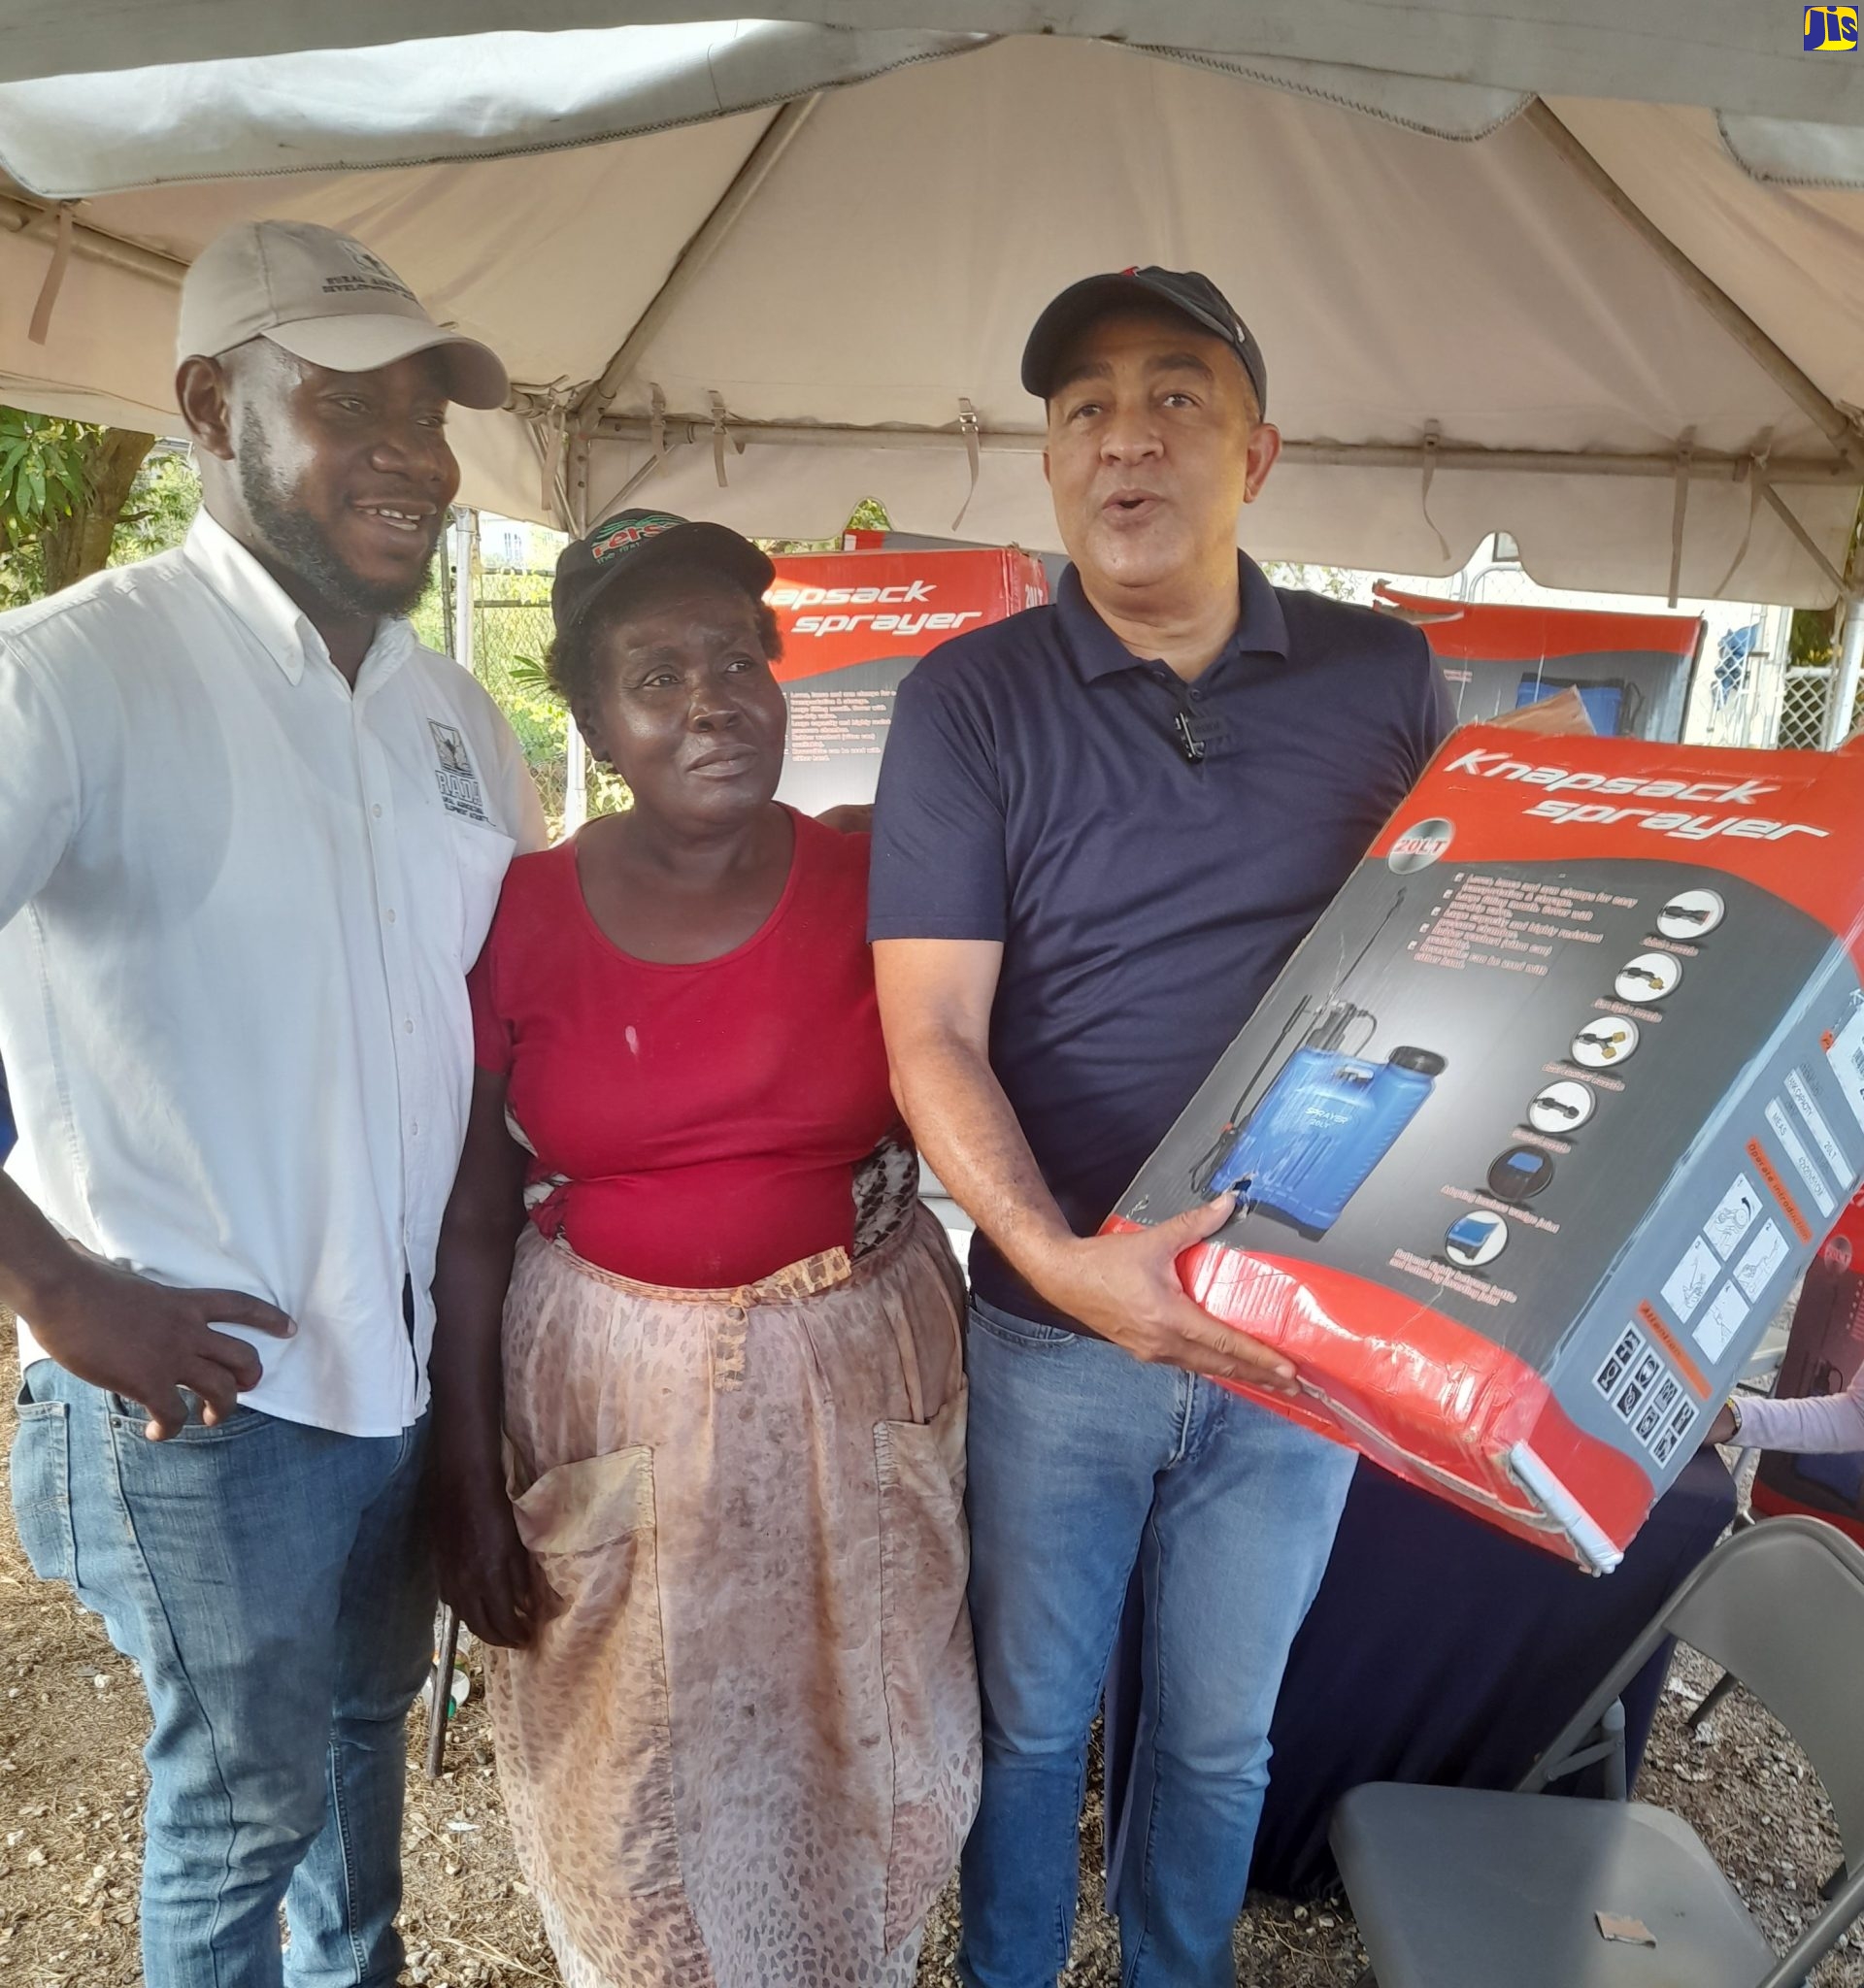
pixel 237 908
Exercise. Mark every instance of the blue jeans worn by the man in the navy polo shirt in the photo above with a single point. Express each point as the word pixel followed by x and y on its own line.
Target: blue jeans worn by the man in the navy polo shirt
pixel 1090 1468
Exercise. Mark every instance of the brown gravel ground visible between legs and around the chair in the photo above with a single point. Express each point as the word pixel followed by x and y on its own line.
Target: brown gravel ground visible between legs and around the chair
pixel 73 1723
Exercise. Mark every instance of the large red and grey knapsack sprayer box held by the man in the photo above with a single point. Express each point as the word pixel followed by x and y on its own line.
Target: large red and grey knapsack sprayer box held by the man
pixel 1541 1122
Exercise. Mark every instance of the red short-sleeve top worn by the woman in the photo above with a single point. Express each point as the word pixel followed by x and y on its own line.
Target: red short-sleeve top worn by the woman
pixel 706 1118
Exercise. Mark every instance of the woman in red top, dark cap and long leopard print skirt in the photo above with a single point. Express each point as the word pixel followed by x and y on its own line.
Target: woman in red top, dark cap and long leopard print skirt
pixel 700 1416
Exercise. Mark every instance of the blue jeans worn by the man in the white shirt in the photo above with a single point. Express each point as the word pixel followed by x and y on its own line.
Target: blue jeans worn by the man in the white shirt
pixel 273 1585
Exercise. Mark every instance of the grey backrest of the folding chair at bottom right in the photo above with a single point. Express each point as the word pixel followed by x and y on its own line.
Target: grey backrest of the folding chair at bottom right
pixel 1782 1605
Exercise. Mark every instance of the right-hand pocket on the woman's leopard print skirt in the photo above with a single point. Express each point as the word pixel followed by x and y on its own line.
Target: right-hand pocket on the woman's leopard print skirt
pixel 927 1663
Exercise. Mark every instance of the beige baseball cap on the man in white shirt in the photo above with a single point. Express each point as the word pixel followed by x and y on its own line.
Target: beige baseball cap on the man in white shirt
pixel 327 299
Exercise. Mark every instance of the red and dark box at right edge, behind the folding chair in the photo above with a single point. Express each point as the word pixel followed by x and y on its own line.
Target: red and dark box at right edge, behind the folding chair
pixel 1825 1353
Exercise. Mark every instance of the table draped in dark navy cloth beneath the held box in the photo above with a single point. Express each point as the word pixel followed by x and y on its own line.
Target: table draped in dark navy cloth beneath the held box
pixel 1442 1649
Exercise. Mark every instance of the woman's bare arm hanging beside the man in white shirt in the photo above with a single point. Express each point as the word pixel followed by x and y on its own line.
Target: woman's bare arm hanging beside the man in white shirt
pixel 484 1570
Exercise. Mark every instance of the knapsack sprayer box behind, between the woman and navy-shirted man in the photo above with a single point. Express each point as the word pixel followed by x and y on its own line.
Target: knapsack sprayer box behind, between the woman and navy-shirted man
pixel 854 625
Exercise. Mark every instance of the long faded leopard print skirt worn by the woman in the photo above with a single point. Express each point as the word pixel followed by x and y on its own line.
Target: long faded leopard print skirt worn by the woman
pixel 744 1746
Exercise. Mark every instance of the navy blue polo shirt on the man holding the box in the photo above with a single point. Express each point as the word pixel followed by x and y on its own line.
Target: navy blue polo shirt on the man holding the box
pixel 1036 792
